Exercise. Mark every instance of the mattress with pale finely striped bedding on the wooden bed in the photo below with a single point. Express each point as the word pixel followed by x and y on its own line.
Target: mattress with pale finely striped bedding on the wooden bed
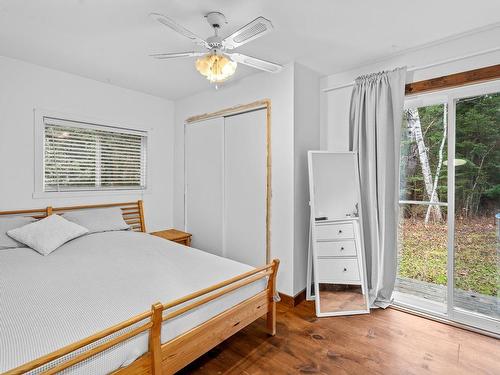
pixel 99 280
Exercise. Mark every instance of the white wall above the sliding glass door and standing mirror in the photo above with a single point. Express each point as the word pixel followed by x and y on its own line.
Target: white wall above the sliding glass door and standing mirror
pixel 335 104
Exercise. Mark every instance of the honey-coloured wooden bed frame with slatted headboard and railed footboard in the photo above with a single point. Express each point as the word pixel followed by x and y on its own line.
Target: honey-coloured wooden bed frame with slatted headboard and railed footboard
pixel 175 354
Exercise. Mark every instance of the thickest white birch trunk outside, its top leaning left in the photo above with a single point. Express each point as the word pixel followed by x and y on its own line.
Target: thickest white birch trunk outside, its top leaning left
pixel 416 130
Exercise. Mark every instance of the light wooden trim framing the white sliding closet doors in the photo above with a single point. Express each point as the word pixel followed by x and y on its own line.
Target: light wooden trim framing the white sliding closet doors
pixel 239 109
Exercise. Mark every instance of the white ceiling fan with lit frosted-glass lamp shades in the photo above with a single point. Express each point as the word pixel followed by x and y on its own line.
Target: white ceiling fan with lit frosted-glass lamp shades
pixel 218 64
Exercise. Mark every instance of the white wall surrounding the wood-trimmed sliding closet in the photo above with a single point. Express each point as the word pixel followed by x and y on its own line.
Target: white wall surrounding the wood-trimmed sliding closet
pixel 279 88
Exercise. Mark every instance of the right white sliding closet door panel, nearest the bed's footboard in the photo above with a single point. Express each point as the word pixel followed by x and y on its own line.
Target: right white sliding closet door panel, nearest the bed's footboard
pixel 245 188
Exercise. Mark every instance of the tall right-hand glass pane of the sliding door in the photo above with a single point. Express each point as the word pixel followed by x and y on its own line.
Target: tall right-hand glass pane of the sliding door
pixel 477 205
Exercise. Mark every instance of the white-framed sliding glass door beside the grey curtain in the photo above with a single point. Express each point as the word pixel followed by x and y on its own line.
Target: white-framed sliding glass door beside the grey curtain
pixel 448 259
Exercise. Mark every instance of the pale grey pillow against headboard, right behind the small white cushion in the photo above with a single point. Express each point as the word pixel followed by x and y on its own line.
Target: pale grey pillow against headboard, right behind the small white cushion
pixel 99 220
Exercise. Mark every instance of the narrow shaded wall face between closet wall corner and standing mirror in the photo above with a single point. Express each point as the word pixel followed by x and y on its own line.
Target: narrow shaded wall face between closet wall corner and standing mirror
pixel 306 137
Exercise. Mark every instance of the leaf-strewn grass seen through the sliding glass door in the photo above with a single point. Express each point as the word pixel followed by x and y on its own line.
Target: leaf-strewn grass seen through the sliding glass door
pixel 423 254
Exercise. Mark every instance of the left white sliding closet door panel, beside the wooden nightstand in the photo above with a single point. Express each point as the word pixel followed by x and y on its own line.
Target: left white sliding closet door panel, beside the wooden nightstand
pixel 204 158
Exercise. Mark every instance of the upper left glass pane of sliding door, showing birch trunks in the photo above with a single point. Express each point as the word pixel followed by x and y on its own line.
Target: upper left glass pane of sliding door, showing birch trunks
pixel 423 175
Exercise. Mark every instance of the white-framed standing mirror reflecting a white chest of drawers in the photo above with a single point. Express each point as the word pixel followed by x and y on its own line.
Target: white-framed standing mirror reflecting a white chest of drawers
pixel 336 267
